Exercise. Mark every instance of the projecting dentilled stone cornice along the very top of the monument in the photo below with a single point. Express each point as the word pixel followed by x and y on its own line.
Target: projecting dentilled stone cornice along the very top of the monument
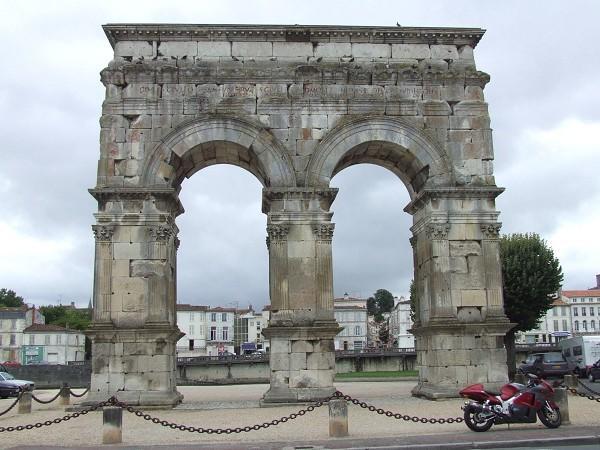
pixel 292 33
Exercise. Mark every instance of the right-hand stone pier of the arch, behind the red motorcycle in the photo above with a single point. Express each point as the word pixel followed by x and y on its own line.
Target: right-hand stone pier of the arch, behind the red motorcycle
pixel 461 323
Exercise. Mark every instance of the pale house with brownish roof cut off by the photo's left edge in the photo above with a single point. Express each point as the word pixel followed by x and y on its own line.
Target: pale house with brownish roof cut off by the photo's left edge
pixel 12 323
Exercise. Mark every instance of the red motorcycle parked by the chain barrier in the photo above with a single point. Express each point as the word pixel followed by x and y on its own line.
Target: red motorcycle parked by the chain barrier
pixel 515 403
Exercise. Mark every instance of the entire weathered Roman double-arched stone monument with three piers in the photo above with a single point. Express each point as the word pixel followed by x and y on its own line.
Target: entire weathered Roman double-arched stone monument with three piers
pixel 294 105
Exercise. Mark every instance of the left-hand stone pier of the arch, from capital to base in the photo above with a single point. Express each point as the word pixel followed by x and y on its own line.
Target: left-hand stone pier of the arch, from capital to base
pixel 134 331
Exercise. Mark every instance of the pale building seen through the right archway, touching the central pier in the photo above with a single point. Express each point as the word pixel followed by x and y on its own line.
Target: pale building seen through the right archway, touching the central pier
pixel 351 315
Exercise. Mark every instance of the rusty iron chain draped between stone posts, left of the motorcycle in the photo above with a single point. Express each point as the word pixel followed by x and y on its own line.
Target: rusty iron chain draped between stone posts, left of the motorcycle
pixel 113 401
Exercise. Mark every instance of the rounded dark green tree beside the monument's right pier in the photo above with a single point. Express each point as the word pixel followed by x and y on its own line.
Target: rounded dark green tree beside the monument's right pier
pixel 531 276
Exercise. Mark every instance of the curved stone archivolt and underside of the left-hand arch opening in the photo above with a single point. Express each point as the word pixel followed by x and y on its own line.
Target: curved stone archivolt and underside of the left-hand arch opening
pixel 205 141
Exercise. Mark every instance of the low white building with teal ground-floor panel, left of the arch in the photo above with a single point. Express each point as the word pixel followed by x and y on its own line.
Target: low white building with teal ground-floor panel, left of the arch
pixel 52 344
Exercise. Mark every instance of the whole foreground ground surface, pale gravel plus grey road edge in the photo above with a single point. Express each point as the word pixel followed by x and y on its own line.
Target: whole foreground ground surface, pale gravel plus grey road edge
pixel 237 406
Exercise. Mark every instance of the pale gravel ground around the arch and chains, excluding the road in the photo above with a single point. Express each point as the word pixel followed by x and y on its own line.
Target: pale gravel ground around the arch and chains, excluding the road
pixel 237 406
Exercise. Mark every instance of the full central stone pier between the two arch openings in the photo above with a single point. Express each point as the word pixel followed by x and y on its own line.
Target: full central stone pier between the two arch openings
pixel 302 326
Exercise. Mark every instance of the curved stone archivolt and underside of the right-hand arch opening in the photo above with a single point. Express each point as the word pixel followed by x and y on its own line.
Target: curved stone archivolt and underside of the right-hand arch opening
pixel 411 154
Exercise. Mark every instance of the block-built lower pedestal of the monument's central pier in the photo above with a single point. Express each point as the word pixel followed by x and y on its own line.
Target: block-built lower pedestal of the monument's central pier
pixel 302 362
